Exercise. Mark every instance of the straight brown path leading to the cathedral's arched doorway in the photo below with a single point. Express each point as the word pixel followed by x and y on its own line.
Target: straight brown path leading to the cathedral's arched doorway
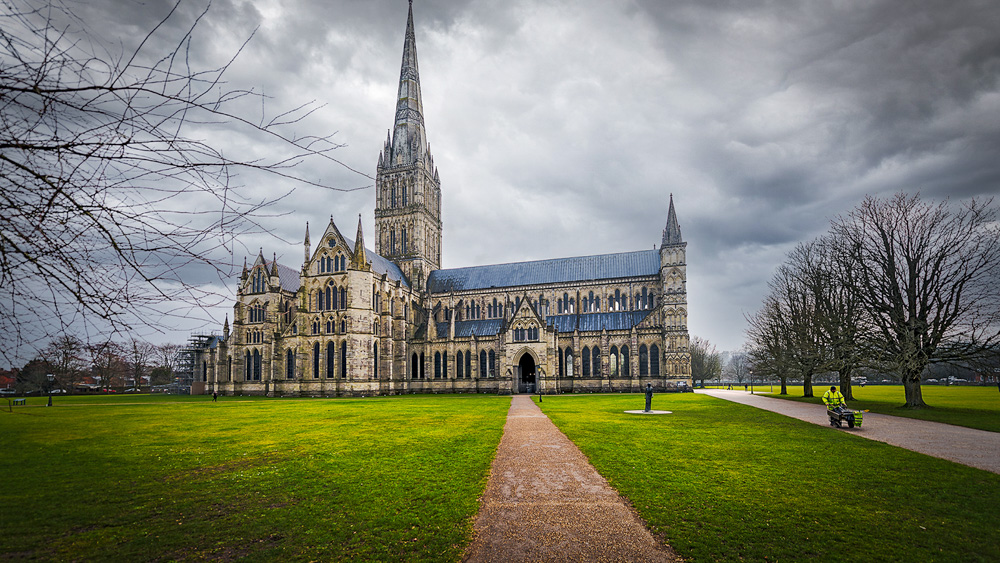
pixel 545 502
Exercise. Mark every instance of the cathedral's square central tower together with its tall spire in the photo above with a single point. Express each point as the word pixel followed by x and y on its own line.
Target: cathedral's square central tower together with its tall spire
pixel 407 185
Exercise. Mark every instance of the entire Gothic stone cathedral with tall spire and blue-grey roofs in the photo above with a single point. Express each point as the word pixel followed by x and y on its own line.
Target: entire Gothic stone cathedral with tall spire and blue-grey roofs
pixel 352 321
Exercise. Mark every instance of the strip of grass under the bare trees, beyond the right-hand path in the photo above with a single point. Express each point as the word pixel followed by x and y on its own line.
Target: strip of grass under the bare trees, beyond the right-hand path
pixel 972 407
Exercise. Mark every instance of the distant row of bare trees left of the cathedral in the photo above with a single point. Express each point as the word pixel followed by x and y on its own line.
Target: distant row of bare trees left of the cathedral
pixel 74 365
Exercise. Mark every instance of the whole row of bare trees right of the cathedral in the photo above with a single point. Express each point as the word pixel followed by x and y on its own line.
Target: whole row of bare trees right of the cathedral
pixel 895 286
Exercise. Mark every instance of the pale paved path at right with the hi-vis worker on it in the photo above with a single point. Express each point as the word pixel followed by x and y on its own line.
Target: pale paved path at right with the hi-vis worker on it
pixel 968 446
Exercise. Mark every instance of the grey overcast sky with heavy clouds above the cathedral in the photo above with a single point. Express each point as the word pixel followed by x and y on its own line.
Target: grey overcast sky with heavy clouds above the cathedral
pixel 560 128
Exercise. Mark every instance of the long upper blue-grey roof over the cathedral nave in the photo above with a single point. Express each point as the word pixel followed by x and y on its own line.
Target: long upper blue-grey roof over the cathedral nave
pixel 558 270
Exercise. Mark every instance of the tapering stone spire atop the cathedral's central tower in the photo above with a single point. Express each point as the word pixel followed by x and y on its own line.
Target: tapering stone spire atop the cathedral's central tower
pixel 409 140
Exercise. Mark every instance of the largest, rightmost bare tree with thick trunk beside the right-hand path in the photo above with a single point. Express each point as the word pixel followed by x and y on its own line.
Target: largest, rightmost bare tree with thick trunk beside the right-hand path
pixel 928 277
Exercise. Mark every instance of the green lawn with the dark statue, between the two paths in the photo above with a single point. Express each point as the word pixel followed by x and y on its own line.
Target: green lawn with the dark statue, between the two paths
pixel 726 482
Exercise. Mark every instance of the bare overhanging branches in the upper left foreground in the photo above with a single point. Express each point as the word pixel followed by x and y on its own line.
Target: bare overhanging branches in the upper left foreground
pixel 109 190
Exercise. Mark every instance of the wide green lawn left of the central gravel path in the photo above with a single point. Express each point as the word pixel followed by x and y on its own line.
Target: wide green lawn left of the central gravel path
pixel 134 477
